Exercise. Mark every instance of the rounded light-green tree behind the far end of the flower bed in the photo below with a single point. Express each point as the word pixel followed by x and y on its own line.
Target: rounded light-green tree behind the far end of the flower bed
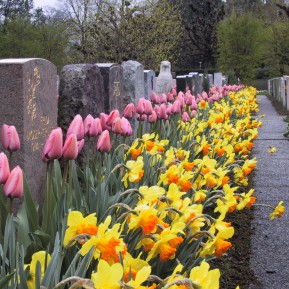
pixel 241 41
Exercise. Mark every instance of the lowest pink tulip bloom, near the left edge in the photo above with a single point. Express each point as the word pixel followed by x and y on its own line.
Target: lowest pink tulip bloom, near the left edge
pixel 13 187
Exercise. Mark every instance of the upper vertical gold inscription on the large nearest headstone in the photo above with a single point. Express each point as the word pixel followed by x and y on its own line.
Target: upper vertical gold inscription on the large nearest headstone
pixel 33 82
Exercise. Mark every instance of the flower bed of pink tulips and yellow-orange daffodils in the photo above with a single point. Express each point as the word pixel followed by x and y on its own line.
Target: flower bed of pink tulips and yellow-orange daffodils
pixel 148 212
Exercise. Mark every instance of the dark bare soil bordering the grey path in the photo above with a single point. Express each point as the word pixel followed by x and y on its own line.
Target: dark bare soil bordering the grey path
pixel 235 265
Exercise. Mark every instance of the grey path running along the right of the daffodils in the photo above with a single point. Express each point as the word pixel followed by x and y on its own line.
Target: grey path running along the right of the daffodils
pixel 270 241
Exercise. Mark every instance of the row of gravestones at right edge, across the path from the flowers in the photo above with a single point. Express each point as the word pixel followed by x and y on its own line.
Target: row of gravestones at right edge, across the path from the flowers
pixel 278 88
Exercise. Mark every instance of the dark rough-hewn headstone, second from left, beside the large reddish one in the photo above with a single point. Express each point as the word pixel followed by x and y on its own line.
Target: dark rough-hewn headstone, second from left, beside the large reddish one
pixel 81 92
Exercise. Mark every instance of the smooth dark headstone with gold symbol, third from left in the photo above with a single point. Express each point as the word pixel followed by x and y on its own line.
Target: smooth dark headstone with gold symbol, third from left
pixel 112 74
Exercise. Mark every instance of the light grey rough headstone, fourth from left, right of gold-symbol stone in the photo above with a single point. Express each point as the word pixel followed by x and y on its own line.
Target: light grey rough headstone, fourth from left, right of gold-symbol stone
pixel 133 81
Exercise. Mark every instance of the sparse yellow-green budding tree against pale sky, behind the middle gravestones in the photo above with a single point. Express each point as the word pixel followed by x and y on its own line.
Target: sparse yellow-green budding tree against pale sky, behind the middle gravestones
pixel 118 30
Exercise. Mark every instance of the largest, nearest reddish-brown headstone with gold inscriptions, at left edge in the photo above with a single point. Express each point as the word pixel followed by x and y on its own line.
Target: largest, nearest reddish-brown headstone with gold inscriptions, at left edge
pixel 28 91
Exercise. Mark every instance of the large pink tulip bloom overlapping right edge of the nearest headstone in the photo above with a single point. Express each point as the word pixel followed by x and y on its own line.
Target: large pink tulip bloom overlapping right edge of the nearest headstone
pixel 53 146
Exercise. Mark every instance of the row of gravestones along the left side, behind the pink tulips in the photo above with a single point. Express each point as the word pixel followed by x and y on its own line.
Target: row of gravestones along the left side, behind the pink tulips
pixel 29 90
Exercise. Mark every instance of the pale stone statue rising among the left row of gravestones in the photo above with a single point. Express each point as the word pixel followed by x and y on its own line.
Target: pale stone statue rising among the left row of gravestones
pixel 164 81
